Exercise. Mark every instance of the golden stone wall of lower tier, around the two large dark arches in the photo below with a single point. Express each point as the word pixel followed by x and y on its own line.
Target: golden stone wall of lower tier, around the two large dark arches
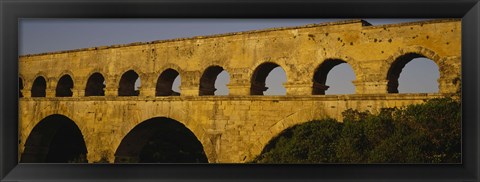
pixel 231 129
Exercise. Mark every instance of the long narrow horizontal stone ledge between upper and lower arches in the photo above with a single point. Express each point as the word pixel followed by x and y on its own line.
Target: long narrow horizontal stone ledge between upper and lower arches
pixel 406 96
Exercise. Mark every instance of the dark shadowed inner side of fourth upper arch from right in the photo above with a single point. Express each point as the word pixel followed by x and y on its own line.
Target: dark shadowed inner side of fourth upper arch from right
pixel 208 79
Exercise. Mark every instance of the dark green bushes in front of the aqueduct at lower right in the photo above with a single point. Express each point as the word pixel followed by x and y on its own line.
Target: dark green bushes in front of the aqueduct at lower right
pixel 423 133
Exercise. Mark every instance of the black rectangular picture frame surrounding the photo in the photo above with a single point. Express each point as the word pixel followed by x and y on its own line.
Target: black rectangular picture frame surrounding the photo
pixel 11 11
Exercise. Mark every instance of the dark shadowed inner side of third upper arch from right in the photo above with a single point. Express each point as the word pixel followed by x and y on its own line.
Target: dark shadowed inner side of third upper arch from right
pixel 259 77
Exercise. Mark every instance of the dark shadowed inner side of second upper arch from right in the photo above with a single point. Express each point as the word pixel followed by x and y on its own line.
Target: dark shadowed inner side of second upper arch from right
pixel 320 76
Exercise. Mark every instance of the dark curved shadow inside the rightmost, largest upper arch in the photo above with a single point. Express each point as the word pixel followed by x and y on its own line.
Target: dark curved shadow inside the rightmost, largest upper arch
pixel 396 68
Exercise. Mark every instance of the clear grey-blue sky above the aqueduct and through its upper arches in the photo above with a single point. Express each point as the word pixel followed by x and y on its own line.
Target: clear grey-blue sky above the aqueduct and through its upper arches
pixel 49 35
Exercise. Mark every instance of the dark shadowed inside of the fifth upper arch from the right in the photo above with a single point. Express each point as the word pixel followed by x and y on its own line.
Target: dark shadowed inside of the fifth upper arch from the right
pixel 165 82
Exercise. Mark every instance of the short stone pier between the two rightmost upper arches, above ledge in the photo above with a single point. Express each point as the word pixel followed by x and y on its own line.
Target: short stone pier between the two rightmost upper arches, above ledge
pixel 370 87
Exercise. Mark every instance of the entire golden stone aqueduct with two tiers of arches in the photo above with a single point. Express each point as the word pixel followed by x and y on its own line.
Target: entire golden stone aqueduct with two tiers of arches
pixel 232 128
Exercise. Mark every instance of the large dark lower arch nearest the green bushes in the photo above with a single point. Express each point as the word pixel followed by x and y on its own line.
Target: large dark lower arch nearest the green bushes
pixel 160 140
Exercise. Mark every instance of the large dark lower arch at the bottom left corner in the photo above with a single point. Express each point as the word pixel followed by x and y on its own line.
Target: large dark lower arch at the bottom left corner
pixel 55 139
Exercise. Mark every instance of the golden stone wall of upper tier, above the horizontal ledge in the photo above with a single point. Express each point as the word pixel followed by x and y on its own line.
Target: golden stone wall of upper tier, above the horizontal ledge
pixel 370 50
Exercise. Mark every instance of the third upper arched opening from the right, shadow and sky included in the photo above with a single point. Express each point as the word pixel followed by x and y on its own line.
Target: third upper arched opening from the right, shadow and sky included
pixel 261 85
